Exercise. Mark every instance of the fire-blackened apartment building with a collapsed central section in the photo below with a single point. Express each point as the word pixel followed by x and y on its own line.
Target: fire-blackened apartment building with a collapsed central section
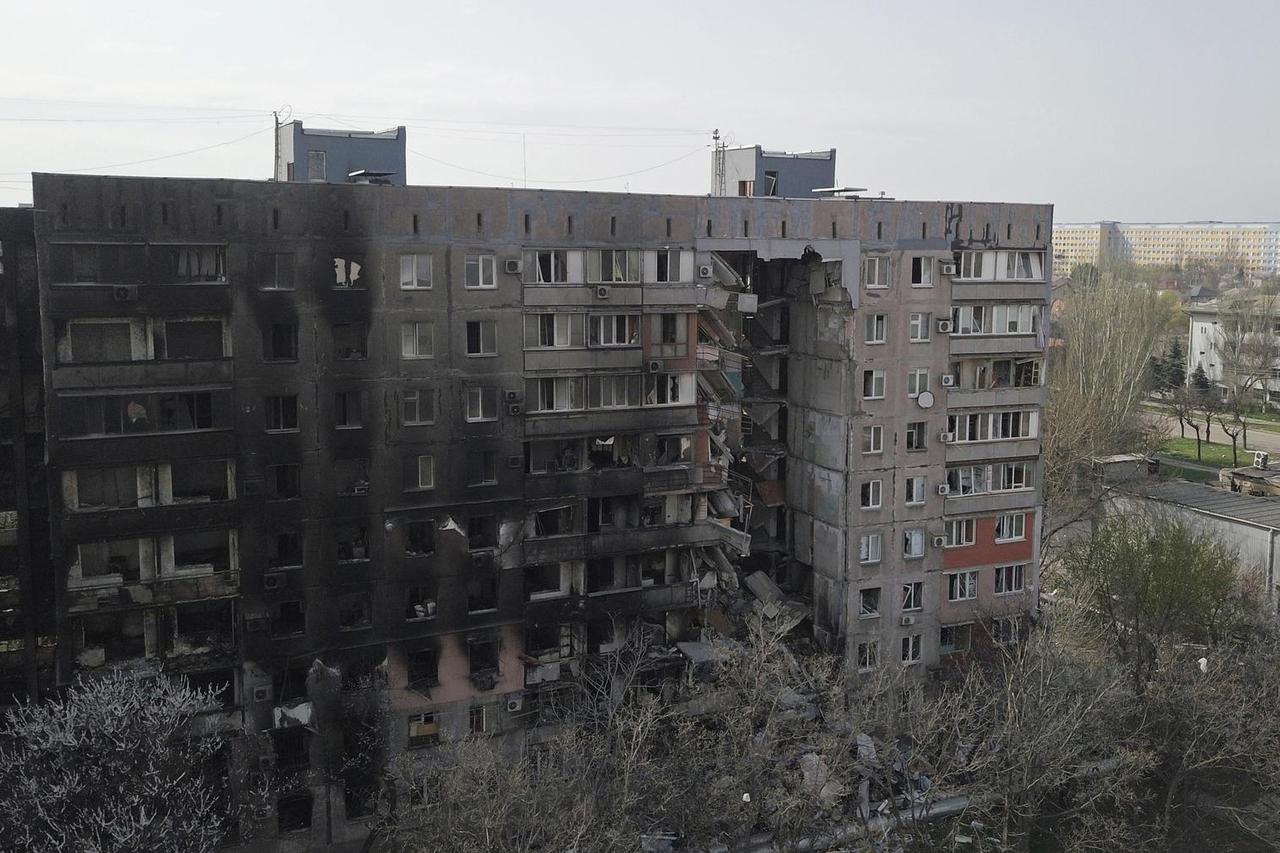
pixel 301 436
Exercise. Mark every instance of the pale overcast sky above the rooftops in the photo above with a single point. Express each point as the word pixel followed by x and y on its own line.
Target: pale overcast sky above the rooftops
pixel 1164 110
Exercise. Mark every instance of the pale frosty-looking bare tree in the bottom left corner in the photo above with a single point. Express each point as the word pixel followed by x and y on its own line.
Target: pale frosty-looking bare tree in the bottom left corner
pixel 122 763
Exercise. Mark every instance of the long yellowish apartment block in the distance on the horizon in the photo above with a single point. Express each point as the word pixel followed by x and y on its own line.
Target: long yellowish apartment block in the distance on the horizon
pixel 1252 247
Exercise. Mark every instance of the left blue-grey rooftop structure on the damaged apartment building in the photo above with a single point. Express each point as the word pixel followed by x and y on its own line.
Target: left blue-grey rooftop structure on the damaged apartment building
pixel 317 156
